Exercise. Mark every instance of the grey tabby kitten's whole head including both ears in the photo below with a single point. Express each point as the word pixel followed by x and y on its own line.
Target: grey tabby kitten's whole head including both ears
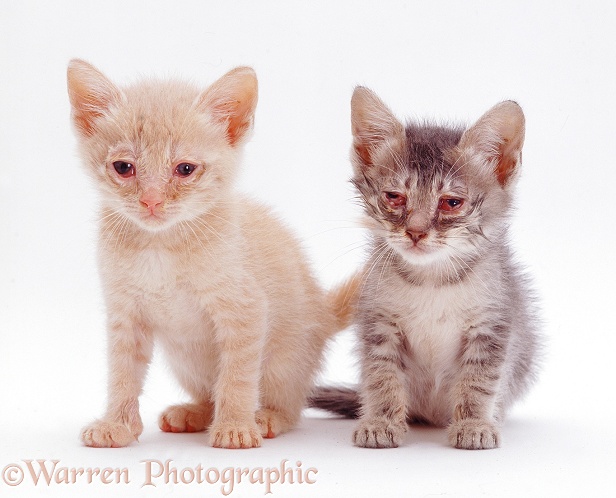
pixel 433 193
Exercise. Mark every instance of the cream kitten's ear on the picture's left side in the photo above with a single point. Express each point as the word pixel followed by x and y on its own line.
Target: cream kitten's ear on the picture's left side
pixel 91 94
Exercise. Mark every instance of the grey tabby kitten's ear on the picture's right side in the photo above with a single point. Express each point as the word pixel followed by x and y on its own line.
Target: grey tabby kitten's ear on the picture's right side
pixel 498 136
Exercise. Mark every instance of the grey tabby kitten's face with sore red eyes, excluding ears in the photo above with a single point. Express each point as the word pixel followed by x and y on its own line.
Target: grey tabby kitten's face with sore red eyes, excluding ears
pixel 423 206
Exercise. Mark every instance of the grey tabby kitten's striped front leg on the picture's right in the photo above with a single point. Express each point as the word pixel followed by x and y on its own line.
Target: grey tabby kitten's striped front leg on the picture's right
pixel 474 425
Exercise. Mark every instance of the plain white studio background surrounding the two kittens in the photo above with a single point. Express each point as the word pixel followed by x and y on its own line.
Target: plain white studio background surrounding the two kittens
pixel 450 61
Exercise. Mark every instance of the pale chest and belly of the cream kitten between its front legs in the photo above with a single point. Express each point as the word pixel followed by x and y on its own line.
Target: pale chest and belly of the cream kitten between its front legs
pixel 161 290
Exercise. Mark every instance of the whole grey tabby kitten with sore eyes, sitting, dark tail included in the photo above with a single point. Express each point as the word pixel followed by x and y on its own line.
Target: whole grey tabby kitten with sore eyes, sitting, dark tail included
pixel 446 322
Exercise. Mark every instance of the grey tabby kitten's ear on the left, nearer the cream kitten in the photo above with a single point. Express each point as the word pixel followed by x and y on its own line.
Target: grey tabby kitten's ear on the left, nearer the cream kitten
pixel 372 124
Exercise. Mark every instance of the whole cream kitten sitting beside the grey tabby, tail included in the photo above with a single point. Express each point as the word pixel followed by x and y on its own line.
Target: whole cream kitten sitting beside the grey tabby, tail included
pixel 188 262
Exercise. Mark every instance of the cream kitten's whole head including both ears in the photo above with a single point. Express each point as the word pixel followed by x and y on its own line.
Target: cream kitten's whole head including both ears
pixel 161 152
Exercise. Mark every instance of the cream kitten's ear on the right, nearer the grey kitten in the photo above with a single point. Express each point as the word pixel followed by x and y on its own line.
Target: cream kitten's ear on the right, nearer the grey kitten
pixel 232 100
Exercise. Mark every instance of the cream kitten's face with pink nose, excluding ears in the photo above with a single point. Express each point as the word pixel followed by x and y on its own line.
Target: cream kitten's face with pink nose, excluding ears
pixel 157 179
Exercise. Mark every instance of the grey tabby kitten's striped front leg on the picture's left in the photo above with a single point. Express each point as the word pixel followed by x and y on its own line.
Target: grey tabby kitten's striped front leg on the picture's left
pixel 384 402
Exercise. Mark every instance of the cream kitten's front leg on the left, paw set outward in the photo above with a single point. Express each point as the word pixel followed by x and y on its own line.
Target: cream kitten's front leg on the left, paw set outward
pixel 130 351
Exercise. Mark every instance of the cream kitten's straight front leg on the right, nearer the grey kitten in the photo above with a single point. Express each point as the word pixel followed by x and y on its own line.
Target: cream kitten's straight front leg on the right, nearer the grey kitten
pixel 240 329
